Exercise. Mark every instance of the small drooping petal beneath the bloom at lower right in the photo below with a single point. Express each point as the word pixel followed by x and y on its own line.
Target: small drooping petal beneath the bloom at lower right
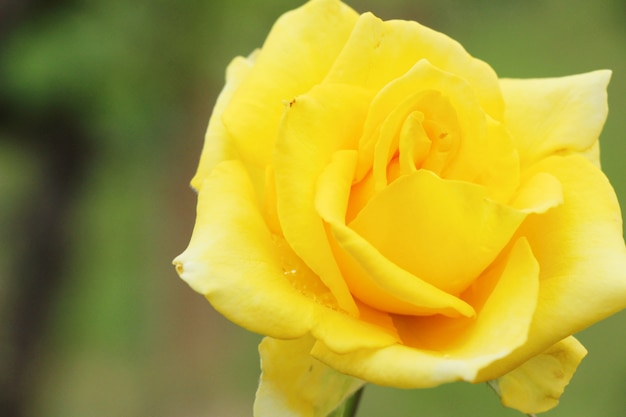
pixel 537 385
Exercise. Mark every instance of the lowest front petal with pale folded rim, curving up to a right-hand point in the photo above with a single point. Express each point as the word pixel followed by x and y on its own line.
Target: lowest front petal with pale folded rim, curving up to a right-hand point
pixel 499 328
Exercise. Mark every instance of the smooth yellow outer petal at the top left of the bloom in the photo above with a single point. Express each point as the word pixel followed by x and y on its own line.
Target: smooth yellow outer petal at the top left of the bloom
pixel 297 54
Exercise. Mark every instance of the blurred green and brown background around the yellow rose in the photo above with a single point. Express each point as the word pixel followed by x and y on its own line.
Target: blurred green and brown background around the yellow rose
pixel 103 106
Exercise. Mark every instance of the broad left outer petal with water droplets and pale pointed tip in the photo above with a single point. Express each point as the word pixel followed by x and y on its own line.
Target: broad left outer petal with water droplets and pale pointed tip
pixel 255 280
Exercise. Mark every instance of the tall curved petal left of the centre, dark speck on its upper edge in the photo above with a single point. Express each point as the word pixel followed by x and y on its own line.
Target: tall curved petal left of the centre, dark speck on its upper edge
pixel 319 123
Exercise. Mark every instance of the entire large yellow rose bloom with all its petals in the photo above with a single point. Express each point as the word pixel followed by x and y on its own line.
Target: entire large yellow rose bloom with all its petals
pixel 385 209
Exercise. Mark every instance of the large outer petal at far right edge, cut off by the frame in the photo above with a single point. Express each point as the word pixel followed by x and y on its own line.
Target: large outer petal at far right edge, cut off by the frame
pixel 580 249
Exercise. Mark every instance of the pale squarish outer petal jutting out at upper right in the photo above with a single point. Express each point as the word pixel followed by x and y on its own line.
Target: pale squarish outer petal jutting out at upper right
pixel 556 115
